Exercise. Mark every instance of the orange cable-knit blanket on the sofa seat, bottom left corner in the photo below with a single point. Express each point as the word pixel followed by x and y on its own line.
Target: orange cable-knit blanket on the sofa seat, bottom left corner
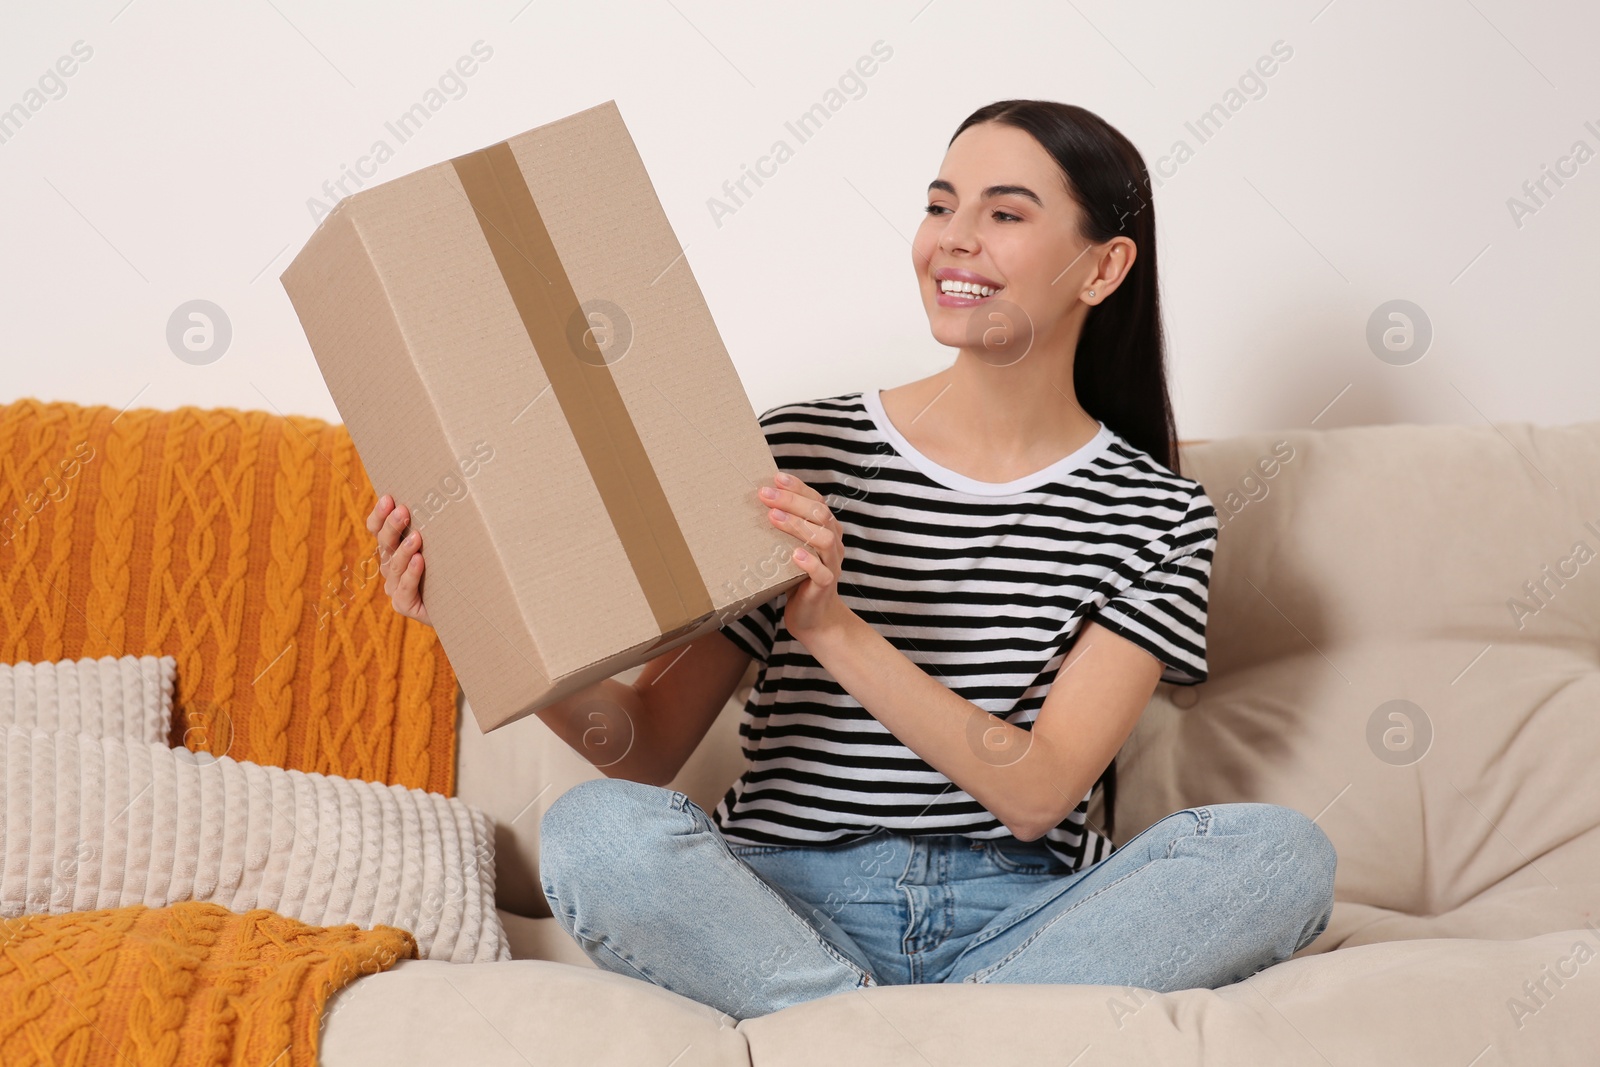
pixel 186 986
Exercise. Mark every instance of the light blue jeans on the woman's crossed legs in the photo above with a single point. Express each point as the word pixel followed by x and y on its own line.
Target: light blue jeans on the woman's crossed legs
pixel 649 887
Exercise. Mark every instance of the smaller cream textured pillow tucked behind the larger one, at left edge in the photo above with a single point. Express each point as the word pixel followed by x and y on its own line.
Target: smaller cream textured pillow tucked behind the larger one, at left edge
pixel 129 697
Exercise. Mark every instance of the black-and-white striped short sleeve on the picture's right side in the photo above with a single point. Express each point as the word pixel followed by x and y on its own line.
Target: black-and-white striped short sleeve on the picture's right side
pixel 1164 612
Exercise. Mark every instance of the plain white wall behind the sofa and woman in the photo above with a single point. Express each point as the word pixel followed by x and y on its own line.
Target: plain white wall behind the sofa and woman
pixel 1377 166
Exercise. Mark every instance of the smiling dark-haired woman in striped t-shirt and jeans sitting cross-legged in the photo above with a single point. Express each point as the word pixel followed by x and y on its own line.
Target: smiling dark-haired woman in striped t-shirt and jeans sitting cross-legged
pixel 1002 565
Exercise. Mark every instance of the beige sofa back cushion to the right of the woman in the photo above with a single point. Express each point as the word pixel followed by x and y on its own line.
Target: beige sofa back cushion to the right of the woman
pixel 1404 641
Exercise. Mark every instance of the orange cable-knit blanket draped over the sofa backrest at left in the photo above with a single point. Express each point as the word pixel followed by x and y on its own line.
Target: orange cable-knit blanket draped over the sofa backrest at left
pixel 238 543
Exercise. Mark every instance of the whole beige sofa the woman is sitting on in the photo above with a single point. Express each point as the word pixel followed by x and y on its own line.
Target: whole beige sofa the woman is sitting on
pixel 1362 573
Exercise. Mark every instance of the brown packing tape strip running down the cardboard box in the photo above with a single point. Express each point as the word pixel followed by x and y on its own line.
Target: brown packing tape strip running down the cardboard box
pixel 601 423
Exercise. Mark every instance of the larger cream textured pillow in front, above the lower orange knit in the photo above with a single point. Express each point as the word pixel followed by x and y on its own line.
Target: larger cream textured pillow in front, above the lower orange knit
pixel 92 823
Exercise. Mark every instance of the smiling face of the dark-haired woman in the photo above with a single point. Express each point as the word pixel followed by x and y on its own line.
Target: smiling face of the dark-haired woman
pixel 1001 215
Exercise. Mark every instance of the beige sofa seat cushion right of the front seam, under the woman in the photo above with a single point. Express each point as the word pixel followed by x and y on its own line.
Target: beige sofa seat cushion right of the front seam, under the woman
pixel 1422 1004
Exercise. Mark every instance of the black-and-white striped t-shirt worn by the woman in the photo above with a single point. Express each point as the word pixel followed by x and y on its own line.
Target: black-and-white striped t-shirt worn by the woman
pixel 982 585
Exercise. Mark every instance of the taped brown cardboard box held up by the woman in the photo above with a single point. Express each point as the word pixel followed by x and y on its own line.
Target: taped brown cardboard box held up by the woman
pixel 522 356
